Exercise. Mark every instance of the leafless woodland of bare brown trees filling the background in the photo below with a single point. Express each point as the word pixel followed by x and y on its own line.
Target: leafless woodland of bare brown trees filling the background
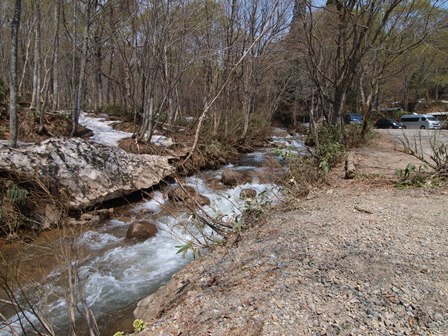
pixel 223 68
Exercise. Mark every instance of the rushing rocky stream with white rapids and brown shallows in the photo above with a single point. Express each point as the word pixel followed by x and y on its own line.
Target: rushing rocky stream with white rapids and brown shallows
pixel 115 273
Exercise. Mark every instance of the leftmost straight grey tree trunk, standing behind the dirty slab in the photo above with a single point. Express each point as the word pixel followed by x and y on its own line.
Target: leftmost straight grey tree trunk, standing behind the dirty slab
pixel 15 25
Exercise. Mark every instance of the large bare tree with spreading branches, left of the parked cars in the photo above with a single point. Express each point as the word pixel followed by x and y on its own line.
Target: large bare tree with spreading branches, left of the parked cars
pixel 337 40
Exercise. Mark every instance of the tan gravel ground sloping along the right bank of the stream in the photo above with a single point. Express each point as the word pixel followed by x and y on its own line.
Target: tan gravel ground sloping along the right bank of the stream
pixel 358 257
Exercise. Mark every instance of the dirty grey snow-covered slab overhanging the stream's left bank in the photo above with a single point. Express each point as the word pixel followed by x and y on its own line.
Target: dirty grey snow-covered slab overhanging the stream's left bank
pixel 84 172
